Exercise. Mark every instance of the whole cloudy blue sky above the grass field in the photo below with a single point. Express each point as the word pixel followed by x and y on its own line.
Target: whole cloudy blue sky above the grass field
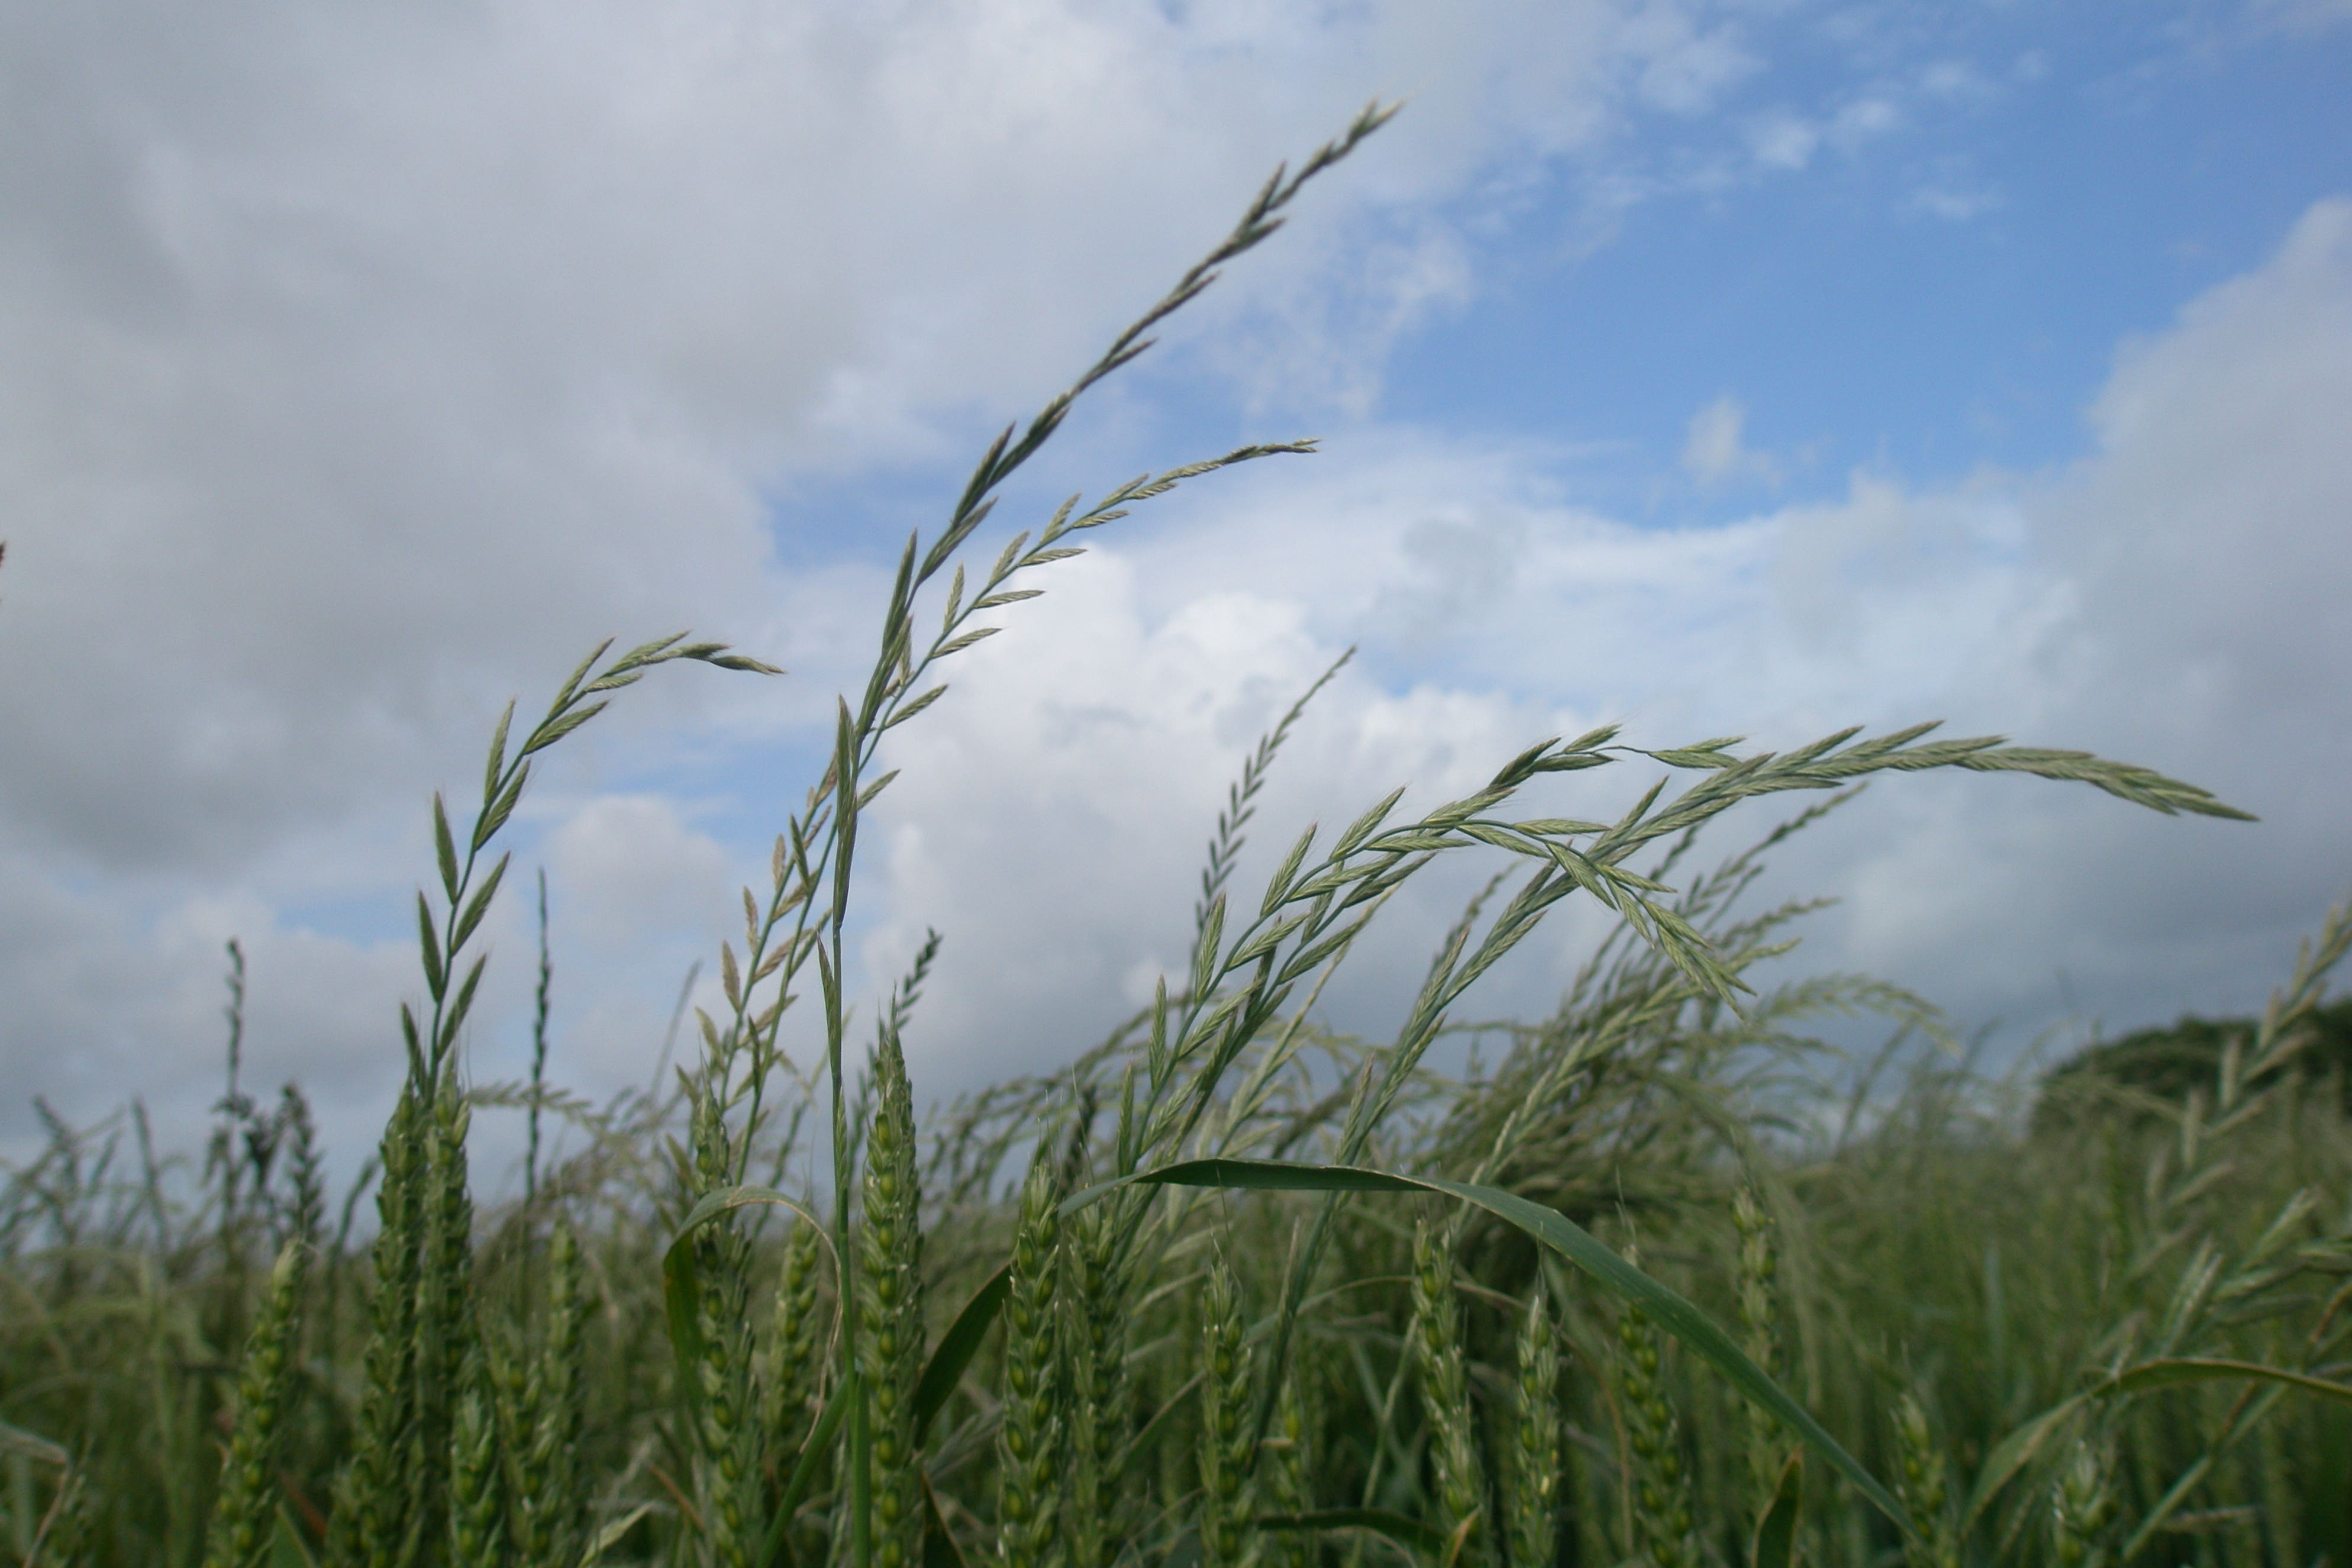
pixel 1753 368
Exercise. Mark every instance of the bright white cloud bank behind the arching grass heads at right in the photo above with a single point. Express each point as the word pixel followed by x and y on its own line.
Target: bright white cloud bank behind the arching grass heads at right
pixel 2167 601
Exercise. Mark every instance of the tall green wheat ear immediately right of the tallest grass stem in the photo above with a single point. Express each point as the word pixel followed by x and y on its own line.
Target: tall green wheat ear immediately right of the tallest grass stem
pixel 893 1343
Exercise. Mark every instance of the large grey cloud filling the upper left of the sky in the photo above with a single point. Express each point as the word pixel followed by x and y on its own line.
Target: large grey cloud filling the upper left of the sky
pixel 363 368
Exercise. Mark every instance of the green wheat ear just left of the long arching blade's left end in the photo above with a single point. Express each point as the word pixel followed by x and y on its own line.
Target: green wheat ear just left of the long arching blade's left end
pixel 1029 1447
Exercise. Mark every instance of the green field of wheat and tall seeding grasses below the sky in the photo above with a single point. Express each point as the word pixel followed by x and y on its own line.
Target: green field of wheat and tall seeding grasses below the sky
pixel 1229 1289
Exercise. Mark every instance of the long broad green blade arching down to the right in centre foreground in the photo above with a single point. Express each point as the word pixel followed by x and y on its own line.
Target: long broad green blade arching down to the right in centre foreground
pixel 1565 1238
